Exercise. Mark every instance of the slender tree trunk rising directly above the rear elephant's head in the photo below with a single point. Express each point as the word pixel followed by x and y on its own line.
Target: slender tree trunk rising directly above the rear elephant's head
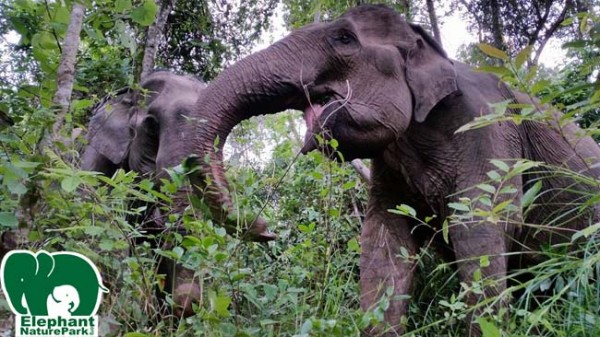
pixel 153 36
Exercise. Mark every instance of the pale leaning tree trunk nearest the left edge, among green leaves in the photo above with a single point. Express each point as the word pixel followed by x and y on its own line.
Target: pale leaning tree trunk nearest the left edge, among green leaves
pixel 66 71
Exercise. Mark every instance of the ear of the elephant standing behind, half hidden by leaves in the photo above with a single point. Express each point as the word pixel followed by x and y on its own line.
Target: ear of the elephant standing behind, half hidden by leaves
pixel 108 131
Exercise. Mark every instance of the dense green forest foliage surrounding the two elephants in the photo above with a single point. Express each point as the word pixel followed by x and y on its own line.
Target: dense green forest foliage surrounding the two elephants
pixel 59 58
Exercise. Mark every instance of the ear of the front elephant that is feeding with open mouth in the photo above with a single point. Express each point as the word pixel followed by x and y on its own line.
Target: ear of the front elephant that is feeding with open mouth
pixel 430 74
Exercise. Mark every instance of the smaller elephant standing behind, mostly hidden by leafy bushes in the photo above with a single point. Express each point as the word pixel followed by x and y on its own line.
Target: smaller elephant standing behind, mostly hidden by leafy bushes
pixel 147 131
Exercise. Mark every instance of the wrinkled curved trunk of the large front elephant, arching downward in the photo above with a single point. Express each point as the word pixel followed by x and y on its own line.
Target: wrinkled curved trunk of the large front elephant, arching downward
pixel 251 87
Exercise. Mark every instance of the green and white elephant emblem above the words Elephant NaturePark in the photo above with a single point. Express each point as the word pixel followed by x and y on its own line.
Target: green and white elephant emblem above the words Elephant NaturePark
pixel 35 283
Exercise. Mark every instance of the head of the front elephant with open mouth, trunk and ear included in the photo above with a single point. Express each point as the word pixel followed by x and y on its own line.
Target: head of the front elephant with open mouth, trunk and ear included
pixel 361 79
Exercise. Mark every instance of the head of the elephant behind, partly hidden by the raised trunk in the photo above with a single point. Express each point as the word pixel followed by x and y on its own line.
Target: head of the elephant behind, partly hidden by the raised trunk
pixel 143 130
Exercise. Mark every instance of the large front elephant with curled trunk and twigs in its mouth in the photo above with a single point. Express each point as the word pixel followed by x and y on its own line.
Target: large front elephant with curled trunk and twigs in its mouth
pixel 386 91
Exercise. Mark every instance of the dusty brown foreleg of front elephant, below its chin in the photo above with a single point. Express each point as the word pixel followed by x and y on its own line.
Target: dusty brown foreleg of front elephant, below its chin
pixel 382 239
